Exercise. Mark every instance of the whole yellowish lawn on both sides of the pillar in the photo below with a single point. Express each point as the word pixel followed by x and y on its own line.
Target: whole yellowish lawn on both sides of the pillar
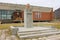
pixel 55 24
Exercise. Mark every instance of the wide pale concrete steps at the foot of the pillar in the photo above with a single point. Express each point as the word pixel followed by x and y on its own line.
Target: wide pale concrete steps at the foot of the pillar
pixel 36 32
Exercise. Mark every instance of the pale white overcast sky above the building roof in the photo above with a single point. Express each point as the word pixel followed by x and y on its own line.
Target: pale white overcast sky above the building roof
pixel 46 3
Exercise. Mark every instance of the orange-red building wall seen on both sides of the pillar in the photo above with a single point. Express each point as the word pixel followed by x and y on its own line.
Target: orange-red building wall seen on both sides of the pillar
pixel 41 15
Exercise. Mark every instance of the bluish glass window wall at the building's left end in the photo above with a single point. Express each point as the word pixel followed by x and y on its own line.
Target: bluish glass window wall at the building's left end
pixel 5 14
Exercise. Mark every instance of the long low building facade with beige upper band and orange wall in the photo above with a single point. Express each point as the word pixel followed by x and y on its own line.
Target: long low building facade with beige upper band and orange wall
pixel 39 13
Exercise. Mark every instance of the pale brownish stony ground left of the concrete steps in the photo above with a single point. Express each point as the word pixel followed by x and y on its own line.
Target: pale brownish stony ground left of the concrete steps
pixel 4 35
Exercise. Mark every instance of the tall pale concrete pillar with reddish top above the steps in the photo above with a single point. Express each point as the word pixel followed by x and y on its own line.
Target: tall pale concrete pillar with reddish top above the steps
pixel 28 20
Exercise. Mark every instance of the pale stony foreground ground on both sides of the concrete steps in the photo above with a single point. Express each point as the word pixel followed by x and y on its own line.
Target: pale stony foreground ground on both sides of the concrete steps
pixel 4 35
